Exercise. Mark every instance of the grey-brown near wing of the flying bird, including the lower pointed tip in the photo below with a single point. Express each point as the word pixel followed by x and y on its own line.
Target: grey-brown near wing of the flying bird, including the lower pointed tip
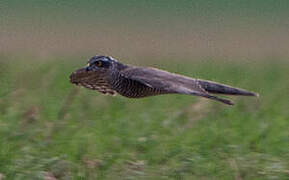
pixel 168 82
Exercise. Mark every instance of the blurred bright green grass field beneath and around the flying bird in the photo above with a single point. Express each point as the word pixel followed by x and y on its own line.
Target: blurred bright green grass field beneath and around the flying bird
pixel 52 129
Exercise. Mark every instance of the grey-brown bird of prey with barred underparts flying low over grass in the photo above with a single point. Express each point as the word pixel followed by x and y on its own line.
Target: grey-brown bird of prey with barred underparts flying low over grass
pixel 108 76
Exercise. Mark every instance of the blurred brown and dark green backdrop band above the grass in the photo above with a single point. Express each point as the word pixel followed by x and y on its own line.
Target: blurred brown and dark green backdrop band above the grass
pixel 133 29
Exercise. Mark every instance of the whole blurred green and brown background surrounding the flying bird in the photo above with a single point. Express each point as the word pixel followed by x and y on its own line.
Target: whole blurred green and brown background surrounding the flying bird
pixel 50 129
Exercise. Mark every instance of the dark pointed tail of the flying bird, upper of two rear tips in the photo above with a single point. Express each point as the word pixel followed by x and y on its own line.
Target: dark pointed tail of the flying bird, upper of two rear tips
pixel 216 88
